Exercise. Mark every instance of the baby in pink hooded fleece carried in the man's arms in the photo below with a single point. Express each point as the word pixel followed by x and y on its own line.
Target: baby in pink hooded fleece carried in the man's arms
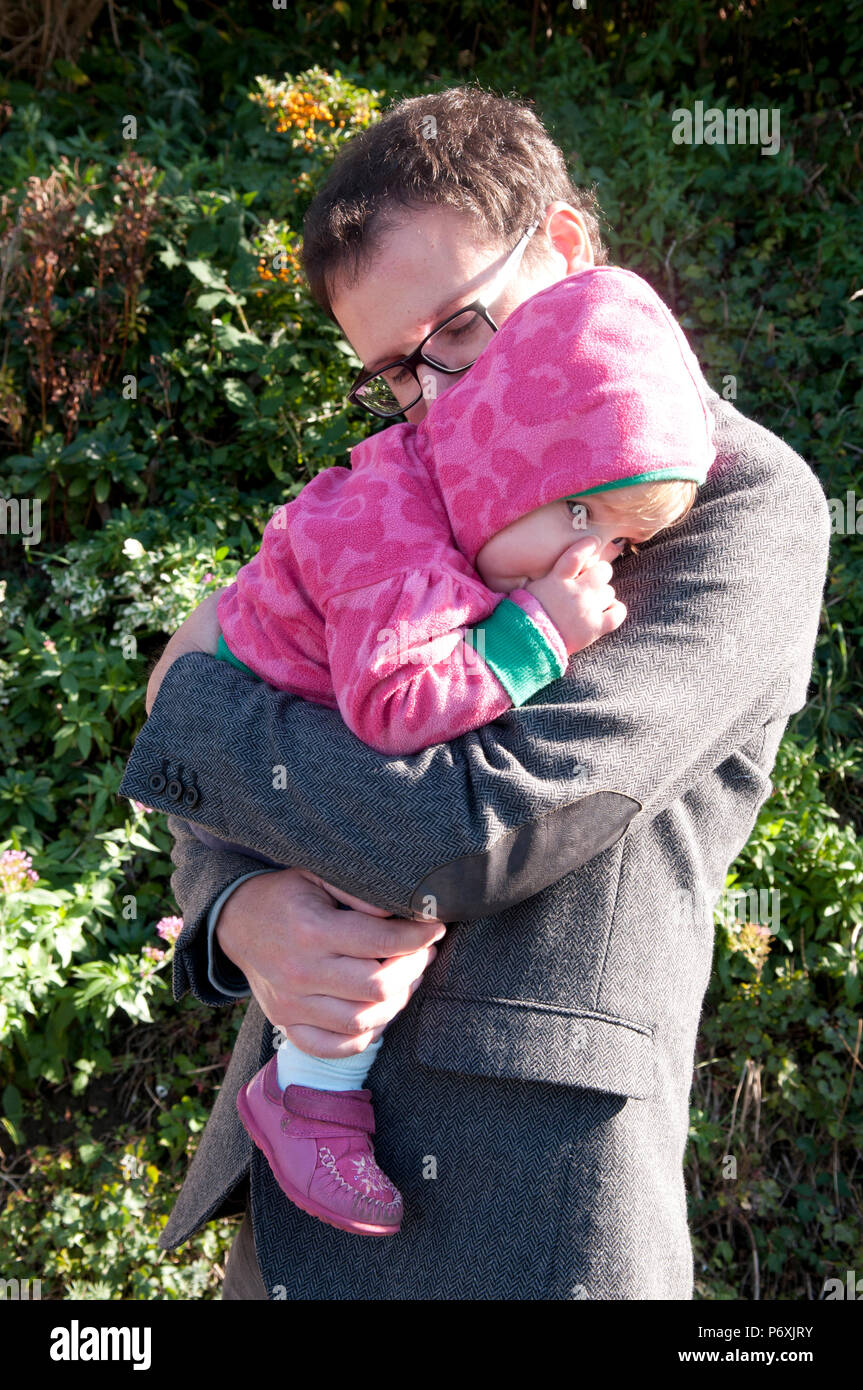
pixel 436 584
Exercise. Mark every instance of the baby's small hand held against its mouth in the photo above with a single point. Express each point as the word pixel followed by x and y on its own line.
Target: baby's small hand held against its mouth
pixel 579 598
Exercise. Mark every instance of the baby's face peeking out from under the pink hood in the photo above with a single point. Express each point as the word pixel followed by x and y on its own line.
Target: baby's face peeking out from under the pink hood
pixel 530 548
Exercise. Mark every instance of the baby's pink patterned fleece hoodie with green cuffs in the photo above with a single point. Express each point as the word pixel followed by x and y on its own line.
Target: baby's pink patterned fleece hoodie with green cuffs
pixel 363 594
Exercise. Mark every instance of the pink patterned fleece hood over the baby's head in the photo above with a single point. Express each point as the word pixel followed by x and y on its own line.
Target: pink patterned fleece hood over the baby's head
pixel 589 386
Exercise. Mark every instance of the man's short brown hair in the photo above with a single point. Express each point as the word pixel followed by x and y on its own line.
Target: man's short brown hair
pixel 468 149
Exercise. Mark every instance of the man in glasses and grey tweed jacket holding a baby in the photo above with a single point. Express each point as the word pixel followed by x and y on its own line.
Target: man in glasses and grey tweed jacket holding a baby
pixel 533 1093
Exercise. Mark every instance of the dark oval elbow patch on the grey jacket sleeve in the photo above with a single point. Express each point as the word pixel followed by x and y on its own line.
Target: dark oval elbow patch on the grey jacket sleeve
pixel 527 860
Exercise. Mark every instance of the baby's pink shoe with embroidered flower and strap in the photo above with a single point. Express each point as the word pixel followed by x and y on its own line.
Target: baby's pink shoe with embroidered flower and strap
pixel 319 1147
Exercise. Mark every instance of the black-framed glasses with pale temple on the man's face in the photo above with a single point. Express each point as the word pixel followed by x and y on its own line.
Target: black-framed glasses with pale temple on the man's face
pixel 452 347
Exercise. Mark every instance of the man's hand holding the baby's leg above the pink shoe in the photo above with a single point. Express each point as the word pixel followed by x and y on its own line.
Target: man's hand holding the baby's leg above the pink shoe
pixel 331 979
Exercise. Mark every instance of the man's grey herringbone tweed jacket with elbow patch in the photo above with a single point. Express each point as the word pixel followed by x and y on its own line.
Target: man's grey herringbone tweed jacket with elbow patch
pixel 533 1097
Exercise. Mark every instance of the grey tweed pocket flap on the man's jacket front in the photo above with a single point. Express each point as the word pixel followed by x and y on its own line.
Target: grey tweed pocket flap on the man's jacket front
pixel 532 1042
